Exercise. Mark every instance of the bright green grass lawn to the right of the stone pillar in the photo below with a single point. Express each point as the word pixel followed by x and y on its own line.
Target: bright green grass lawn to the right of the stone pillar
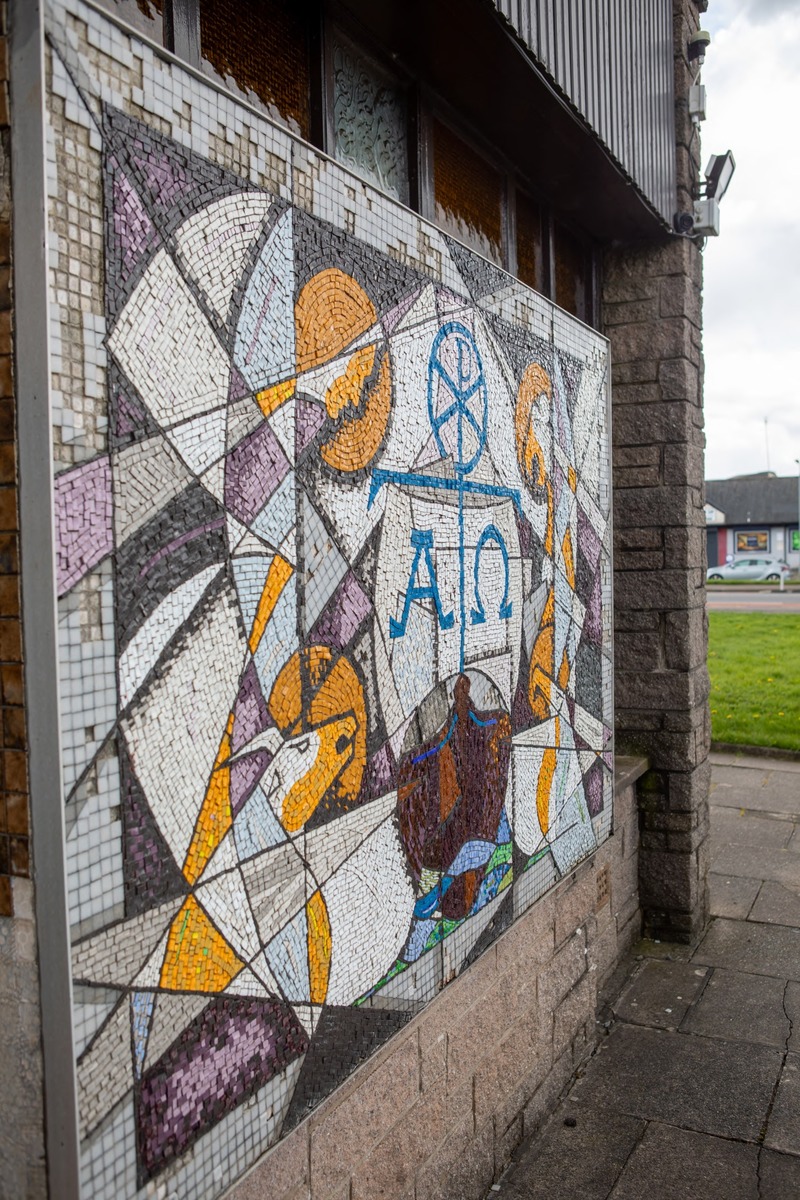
pixel 755 668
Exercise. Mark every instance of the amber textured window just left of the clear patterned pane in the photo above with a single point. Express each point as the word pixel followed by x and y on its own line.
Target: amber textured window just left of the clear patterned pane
pixel 262 47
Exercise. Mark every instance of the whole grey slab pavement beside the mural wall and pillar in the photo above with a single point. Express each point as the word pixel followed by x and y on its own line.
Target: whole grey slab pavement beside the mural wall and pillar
pixel 695 1094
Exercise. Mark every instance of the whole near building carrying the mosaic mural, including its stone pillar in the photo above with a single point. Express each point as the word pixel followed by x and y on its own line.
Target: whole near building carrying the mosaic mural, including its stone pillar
pixel 314 314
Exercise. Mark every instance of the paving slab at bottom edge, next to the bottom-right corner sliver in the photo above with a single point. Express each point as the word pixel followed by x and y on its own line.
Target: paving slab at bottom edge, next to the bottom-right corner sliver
pixel 675 1165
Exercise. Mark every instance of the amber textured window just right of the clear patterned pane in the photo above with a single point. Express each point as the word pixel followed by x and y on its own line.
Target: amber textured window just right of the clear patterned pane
pixel 468 194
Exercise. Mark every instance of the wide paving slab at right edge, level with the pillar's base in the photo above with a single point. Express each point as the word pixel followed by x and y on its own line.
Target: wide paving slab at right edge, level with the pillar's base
pixel 751 947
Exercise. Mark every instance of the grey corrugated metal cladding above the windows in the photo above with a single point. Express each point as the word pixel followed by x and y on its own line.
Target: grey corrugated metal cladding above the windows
pixel 615 61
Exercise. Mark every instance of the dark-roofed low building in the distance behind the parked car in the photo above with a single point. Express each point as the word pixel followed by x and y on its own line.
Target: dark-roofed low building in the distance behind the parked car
pixel 753 514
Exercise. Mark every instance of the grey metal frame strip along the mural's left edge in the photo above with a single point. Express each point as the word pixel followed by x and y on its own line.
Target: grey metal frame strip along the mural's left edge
pixel 38 561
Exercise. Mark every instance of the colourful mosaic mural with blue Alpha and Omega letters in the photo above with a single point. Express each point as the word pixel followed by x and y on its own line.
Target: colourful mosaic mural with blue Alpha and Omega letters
pixel 334 610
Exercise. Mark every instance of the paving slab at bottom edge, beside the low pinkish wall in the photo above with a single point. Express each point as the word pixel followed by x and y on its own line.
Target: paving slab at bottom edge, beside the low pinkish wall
pixel 582 1162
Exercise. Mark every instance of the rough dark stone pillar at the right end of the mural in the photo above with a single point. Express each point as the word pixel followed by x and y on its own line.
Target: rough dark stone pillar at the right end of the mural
pixel 652 311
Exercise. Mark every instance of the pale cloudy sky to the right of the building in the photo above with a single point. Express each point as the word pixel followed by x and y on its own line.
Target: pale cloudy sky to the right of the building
pixel 753 271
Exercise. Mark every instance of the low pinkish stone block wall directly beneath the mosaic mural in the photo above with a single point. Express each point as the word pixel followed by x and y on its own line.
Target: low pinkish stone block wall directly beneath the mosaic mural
pixel 438 1114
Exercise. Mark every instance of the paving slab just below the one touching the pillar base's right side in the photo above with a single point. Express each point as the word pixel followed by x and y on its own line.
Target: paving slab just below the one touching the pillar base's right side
pixel 742 1009
